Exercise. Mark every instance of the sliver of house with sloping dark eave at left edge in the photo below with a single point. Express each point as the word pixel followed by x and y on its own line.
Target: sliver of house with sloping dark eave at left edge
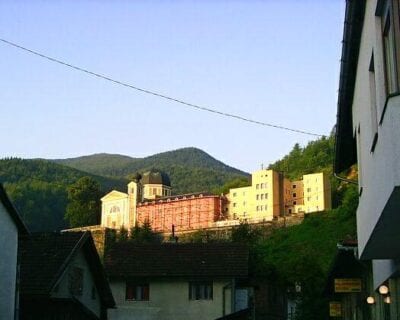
pixel 11 226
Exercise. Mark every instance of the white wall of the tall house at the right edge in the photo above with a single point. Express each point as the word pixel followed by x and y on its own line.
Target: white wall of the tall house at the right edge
pixel 379 170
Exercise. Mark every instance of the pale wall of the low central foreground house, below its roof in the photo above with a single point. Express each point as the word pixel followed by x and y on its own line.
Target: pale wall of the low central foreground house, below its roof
pixel 169 300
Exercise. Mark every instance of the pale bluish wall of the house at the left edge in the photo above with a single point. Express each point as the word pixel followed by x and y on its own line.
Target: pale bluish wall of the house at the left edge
pixel 8 264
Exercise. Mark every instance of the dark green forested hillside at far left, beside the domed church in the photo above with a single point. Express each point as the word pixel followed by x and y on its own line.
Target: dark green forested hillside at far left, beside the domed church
pixel 38 189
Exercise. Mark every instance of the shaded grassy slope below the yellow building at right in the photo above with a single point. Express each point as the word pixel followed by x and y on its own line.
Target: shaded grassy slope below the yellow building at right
pixel 303 253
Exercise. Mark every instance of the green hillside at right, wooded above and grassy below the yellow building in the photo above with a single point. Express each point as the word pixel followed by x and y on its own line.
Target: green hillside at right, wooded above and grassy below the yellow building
pixel 303 253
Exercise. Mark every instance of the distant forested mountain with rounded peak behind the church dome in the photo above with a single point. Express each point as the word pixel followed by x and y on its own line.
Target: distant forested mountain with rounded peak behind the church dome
pixel 190 169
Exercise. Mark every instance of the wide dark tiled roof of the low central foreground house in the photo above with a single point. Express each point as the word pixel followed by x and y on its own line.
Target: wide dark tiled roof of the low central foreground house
pixel 129 260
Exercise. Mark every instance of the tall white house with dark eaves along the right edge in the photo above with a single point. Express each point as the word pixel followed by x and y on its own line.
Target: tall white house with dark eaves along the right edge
pixel 368 132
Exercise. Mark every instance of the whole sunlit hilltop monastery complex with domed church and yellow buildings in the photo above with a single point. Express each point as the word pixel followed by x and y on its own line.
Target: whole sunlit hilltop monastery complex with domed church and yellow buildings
pixel 270 195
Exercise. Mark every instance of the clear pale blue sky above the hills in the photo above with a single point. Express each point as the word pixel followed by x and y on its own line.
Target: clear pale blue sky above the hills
pixel 271 61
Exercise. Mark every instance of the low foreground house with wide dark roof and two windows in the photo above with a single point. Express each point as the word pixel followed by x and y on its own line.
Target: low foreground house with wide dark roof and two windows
pixel 177 281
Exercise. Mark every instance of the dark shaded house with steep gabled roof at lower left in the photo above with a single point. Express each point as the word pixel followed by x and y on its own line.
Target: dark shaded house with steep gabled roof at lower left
pixel 62 278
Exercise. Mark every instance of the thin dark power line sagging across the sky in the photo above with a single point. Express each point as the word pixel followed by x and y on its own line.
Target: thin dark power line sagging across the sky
pixel 188 104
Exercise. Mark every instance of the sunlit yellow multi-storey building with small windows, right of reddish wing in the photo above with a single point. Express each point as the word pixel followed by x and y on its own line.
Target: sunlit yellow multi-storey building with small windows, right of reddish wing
pixel 271 195
